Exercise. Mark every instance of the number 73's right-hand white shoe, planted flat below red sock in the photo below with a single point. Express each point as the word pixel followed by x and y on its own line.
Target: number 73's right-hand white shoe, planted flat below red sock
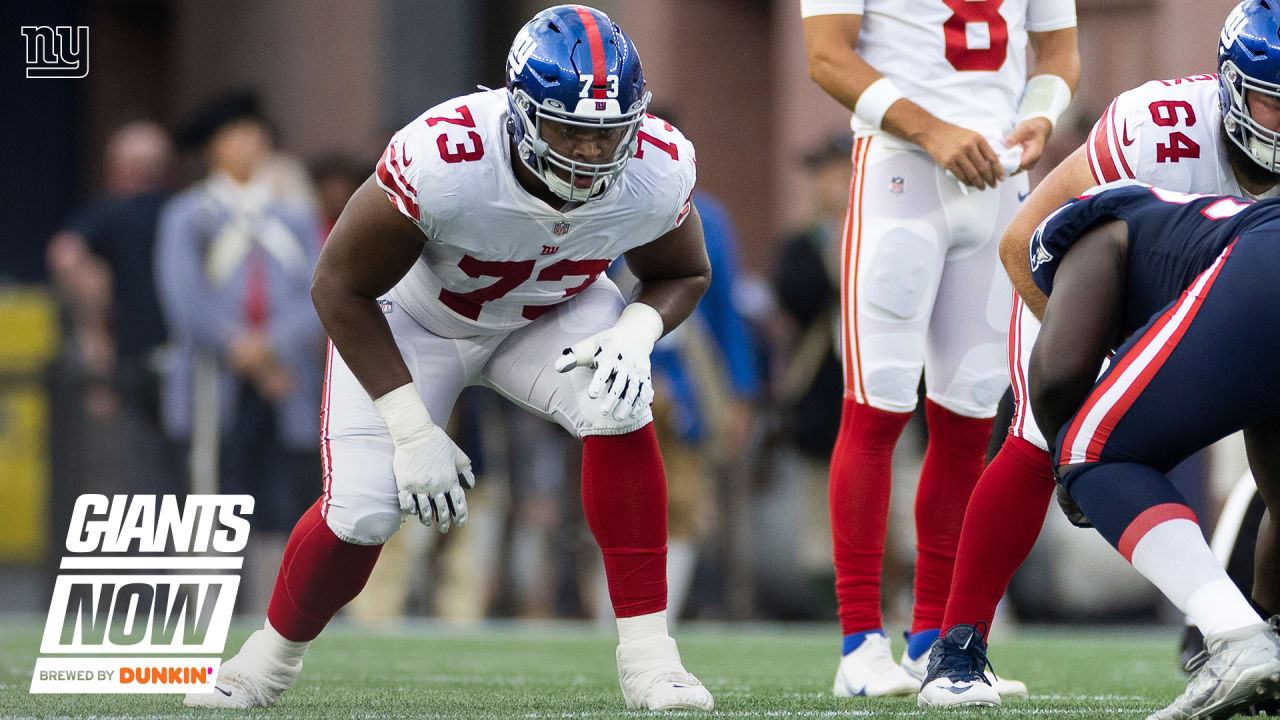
pixel 653 678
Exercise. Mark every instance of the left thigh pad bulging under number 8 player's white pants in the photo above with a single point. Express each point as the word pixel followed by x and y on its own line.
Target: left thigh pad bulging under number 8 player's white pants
pixel 902 272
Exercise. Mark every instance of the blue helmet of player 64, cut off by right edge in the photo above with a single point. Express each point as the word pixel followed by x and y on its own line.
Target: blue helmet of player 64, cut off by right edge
pixel 1249 60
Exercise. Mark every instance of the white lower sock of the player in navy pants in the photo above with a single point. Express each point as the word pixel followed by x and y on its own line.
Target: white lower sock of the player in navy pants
pixel 1176 558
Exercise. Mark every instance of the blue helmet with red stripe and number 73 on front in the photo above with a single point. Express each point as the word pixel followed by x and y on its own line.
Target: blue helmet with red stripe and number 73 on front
pixel 574 66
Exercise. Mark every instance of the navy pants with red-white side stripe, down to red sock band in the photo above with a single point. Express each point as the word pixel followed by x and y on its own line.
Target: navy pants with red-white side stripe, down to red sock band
pixel 1204 368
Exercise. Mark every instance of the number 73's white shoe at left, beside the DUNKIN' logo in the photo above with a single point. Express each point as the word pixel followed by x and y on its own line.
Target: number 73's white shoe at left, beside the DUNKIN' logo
pixel 253 678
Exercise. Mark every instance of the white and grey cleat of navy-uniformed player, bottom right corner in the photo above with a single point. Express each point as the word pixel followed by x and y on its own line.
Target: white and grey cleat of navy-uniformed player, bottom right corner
pixel 1238 669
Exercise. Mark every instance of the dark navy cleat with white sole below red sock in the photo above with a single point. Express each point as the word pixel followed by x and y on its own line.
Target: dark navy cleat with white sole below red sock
pixel 957 672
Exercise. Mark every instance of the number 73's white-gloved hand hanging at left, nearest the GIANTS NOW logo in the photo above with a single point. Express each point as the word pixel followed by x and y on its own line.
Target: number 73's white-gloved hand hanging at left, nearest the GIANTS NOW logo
pixel 431 475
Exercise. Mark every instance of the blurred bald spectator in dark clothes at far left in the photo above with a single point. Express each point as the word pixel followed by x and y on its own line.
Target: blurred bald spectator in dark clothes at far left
pixel 104 388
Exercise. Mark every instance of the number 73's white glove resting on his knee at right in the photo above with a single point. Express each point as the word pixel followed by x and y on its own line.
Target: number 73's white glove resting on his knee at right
pixel 620 358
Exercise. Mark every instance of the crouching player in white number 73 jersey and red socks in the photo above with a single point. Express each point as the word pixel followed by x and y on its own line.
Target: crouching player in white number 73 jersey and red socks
pixel 476 256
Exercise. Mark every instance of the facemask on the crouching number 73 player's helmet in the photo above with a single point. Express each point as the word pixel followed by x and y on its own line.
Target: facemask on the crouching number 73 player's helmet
pixel 572 180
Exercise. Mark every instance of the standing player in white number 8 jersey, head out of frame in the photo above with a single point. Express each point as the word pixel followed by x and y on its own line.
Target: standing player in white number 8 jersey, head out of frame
pixel 945 121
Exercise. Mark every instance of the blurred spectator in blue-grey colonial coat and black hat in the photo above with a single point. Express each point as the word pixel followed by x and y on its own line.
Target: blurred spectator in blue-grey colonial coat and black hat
pixel 235 261
